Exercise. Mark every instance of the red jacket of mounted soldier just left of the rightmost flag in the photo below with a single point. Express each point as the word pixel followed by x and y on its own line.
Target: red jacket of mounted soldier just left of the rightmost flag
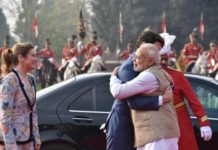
pixel 191 52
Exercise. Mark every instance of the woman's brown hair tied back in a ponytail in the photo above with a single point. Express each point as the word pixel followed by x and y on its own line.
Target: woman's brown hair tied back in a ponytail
pixel 10 56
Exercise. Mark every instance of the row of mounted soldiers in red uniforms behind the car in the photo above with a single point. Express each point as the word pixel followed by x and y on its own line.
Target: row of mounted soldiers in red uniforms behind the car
pixel 189 54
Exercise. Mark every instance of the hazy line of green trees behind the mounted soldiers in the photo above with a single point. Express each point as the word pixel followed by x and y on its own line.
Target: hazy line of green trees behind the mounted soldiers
pixel 58 20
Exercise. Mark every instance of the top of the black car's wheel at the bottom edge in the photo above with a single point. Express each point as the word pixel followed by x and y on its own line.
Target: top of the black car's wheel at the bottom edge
pixel 57 146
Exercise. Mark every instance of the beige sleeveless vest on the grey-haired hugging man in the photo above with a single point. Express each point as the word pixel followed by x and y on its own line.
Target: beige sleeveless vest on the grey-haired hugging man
pixel 150 126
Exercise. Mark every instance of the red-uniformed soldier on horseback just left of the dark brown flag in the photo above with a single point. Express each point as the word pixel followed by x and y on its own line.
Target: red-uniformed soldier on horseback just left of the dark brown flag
pixel 69 51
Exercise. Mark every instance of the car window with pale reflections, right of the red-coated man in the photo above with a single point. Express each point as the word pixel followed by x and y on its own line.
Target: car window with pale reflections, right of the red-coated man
pixel 208 97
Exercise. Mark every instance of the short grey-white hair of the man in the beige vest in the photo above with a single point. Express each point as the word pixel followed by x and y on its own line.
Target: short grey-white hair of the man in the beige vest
pixel 152 52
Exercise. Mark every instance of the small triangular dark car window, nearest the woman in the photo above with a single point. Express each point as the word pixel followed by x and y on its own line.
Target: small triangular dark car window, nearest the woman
pixel 83 102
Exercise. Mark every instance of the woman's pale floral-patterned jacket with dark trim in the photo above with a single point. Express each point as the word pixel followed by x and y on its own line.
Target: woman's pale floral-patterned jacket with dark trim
pixel 14 112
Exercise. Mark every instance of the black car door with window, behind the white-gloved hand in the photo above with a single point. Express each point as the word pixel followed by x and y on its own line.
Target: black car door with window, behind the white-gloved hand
pixel 207 93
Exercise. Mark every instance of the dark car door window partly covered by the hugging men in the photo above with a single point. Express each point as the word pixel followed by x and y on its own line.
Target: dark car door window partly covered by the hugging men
pixel 104 99
